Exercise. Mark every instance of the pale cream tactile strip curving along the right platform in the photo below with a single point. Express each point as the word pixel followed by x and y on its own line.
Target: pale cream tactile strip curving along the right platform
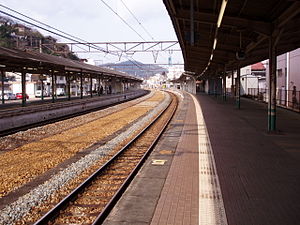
pixel 211 206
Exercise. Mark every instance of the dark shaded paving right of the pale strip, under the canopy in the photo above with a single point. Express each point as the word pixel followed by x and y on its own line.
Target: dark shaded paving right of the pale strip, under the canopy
pixel 259 173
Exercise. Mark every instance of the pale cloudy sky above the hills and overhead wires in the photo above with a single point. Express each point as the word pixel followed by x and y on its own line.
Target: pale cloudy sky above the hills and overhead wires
pixel 93 21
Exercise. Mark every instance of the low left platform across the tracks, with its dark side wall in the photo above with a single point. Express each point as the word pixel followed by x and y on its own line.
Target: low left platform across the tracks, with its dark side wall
pixel 43 112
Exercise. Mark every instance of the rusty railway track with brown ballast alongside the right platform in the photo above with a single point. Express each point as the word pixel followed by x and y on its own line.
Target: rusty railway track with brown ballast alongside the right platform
pixel 92 200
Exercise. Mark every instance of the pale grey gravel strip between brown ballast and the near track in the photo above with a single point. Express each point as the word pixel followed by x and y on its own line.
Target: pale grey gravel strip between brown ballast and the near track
pixel 35 197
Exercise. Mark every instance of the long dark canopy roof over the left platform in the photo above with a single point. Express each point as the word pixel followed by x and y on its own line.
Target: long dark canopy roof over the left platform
pixel 34 62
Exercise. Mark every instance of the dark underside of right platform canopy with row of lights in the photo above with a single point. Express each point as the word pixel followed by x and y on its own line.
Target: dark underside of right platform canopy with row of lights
pixel 215 34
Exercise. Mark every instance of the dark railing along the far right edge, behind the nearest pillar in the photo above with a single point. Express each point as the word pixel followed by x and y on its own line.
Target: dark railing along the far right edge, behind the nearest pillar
pixel 285 98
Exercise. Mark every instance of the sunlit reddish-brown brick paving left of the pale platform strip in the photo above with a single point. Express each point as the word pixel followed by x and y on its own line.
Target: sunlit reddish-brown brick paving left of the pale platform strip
pixel 179 201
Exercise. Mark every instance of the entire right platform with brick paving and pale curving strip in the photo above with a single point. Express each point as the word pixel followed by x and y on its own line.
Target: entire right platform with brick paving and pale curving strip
pixel 216 164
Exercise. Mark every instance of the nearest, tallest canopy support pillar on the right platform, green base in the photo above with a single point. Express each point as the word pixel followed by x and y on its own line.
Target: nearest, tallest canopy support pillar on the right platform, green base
pixel 272 86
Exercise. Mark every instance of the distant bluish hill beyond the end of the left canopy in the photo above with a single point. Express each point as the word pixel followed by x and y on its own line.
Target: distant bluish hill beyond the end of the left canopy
pixel 137 68
